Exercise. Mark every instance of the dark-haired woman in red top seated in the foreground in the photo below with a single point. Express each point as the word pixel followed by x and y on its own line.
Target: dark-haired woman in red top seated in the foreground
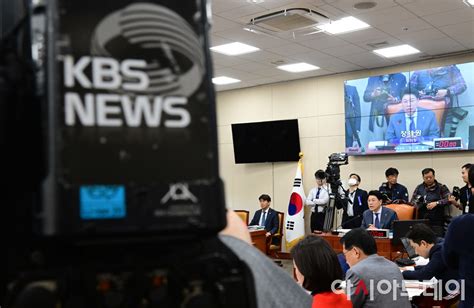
pixel 317 270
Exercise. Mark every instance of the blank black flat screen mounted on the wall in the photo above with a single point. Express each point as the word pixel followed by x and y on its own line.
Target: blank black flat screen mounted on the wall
pixel 271 141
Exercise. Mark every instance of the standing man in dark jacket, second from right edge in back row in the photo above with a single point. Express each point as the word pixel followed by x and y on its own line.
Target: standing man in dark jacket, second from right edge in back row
pixel 435 198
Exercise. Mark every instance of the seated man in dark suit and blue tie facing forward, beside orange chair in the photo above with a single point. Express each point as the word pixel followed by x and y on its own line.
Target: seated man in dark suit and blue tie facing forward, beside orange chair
pixel 377 216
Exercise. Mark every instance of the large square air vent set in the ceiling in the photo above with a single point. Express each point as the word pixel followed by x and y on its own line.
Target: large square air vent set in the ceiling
pixel 293 19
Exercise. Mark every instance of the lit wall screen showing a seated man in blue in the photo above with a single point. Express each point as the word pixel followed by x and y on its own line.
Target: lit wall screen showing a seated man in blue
pixel 414 111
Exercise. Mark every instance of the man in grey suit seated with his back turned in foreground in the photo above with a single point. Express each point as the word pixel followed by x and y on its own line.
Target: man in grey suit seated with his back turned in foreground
pixel 367 270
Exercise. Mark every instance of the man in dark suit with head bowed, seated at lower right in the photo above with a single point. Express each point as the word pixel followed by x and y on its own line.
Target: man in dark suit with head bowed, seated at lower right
pixel 424 242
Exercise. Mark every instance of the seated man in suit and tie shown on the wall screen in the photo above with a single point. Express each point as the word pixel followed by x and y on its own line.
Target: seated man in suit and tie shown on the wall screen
pixel 413 124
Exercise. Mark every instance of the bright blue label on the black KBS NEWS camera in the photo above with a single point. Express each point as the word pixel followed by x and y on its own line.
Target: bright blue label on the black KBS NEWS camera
pixel 102 202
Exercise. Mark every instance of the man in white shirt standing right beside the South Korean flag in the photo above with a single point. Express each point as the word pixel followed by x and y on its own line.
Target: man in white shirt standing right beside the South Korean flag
pixel 317 200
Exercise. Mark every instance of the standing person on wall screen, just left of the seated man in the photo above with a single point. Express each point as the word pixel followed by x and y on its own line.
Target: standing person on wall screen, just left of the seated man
pixel 380 92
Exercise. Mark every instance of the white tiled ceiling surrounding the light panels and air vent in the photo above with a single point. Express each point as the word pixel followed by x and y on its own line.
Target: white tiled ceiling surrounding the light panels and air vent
pixel 435 27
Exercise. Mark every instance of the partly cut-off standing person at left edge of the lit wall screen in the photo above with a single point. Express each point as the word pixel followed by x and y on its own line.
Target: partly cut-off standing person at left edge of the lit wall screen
pixel 353 119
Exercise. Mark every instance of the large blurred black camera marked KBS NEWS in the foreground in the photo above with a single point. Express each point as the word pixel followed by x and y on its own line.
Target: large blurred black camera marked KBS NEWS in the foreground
pixel 108 101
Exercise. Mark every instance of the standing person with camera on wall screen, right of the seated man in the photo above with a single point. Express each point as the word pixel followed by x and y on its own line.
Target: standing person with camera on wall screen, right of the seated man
pixel 441 83
